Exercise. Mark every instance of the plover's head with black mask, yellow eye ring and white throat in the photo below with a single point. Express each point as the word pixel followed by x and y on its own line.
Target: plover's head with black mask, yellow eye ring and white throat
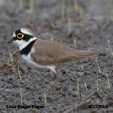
pixel 22 37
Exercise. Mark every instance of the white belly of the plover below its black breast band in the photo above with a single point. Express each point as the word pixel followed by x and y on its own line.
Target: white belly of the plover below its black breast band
pixel 28 59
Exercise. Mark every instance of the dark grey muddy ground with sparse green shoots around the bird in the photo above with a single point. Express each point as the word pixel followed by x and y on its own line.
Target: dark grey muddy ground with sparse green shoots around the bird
pixel 91 29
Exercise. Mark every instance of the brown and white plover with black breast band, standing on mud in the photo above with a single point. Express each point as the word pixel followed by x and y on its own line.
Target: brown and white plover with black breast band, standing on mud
pixel 46 54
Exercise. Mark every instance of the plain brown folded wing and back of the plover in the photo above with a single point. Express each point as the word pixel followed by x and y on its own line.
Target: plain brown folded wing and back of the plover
pixel 48 53
